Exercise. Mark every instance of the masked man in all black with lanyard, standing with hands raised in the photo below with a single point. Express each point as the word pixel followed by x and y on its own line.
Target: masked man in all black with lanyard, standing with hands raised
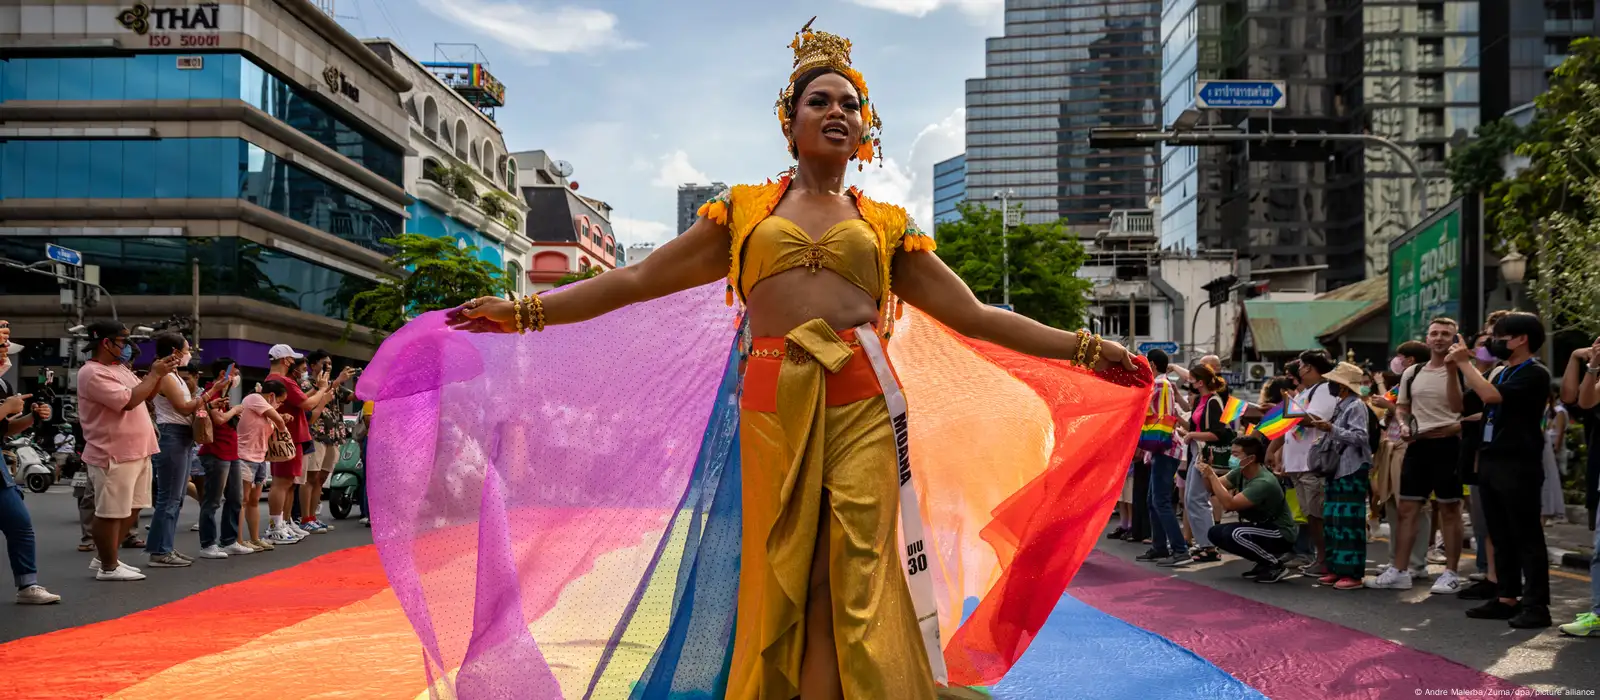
pixel 1511 474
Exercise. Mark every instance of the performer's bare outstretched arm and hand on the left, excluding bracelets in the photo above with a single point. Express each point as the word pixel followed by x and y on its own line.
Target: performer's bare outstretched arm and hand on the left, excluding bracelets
pixel 697 258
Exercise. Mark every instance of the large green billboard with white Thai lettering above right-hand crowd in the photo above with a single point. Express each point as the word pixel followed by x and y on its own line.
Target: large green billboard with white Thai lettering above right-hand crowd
pixel 1425 277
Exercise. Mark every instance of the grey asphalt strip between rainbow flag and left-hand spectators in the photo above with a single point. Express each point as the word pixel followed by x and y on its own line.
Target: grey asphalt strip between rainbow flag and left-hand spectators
pixel 84 600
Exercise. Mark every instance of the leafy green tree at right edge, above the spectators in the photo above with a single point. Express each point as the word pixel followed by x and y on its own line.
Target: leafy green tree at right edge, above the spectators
pixel 1550 209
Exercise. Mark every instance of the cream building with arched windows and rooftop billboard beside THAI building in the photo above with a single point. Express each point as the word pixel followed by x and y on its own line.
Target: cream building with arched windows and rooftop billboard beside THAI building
pixel 455 140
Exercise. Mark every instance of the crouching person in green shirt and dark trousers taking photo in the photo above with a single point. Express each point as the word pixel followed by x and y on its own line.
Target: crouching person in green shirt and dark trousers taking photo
pixel 1266 531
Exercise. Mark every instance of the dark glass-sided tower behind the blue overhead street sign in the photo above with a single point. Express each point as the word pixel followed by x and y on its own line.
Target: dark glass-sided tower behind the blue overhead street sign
pixel 1284 205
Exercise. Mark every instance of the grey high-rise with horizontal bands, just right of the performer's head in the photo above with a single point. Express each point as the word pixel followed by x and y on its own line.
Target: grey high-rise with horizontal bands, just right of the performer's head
pixel 1060 70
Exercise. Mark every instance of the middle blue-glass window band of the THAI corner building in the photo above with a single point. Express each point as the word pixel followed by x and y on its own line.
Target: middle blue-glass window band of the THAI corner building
pixel 190 169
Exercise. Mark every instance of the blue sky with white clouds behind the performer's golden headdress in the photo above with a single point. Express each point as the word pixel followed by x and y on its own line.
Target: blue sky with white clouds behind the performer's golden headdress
pixel 646 95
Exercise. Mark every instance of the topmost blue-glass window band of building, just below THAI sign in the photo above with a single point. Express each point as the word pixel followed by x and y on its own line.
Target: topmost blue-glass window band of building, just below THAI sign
pixel 220 78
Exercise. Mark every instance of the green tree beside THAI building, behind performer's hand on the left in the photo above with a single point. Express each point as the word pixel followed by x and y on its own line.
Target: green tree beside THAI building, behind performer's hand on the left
pixel 441 277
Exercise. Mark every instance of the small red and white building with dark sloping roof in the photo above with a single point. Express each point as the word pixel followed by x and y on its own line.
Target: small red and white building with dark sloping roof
pixel 569 233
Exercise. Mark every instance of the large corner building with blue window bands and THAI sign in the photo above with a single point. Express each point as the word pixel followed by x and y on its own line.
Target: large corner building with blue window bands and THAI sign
pixel 255 138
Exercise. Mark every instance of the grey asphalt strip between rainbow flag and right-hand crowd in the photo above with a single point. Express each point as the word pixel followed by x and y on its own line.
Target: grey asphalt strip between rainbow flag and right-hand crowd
pixel 1545 661
